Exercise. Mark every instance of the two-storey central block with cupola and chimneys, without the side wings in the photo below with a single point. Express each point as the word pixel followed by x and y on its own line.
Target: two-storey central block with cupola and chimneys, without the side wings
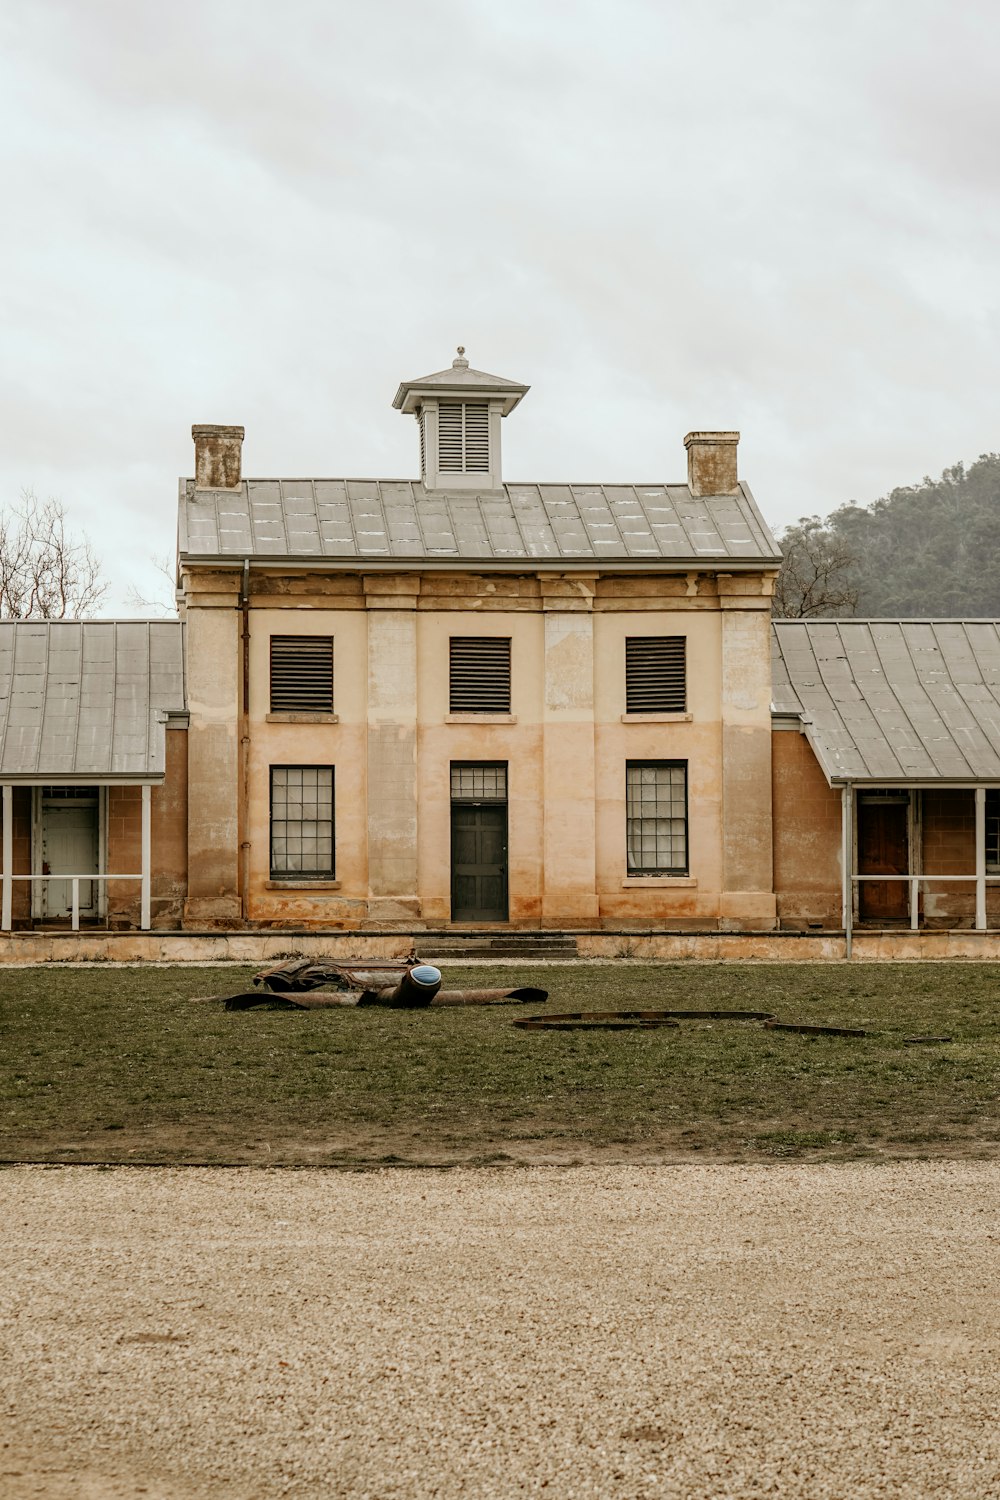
pixel 457 700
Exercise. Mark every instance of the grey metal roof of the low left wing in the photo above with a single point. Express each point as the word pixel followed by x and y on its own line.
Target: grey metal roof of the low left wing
pixel 88 700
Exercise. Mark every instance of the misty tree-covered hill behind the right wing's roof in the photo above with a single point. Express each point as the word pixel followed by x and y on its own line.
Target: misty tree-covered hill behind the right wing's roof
pixel 927 550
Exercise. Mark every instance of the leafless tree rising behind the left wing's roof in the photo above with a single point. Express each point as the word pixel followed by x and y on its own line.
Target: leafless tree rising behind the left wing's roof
pixel 46 572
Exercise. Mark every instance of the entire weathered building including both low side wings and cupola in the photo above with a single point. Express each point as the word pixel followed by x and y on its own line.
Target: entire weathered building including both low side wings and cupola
pixel 413 704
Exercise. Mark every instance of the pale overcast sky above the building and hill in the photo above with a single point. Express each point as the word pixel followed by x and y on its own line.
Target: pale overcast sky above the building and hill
pixel 660 214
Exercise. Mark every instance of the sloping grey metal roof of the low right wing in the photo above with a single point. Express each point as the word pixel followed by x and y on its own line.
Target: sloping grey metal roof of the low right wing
pixel 894 700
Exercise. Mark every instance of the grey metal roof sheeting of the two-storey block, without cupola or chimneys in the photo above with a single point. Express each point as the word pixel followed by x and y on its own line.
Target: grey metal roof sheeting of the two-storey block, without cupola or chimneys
pixel 401 523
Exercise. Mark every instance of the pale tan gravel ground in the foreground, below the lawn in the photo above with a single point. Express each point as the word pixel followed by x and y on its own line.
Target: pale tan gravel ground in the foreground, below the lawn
pixel 797 1331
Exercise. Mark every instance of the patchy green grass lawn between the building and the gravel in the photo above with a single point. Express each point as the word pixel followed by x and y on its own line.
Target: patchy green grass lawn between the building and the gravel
pixel 107 1066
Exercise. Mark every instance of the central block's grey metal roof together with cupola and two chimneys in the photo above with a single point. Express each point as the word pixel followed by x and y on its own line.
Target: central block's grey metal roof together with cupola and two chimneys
pixel 460 512
